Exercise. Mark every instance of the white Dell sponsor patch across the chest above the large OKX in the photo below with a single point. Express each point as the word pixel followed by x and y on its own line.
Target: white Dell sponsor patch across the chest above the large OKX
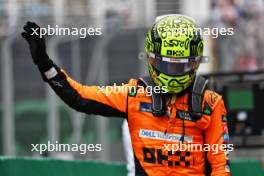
pixel 158 135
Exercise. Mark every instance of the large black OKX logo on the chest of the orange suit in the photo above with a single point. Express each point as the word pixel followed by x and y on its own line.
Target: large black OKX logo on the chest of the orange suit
pixel 168 158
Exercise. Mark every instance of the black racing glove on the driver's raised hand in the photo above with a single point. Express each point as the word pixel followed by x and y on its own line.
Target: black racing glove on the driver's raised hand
pixel 37 46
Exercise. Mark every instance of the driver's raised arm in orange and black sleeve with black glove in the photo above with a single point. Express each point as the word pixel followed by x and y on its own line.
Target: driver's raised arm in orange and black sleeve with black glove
pixel 86 99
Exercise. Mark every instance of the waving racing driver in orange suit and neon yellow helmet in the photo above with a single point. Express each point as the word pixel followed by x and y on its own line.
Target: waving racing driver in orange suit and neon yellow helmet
pixel 183 111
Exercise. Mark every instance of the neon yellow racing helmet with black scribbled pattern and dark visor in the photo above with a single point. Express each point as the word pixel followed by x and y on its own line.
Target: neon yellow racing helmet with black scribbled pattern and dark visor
pixel 174 49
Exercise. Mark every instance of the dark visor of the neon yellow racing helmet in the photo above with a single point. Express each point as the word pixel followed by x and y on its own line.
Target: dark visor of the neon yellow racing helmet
pixel 175 66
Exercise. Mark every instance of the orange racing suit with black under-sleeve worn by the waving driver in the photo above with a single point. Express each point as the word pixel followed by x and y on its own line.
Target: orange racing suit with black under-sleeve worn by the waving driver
pixel 154 139
